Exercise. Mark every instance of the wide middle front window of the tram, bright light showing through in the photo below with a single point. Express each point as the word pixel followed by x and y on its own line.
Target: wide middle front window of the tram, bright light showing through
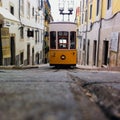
pixel 63 40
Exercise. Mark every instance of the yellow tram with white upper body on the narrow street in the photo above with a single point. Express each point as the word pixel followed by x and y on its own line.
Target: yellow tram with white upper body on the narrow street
pixel 62 43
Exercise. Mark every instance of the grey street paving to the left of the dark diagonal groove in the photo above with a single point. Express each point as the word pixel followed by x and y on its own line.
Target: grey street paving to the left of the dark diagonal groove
pixel 44 94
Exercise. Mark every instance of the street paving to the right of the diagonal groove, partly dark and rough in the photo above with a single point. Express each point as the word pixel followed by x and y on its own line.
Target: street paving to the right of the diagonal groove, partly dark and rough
pixel 103 87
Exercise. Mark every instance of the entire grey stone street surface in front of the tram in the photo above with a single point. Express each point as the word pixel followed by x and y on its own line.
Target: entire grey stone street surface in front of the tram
pixel 47 93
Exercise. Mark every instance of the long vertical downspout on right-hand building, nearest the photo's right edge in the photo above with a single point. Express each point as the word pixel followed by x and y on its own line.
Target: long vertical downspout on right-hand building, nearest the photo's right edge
pixel 99 33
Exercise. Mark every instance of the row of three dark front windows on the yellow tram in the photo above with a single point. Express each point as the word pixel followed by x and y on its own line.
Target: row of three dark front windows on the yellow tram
pixel 63 40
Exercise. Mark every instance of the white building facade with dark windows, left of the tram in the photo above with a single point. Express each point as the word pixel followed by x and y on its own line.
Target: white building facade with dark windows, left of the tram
pixel 21 32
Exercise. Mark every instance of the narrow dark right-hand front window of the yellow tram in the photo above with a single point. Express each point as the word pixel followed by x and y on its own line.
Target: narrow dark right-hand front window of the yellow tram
pixel 72 40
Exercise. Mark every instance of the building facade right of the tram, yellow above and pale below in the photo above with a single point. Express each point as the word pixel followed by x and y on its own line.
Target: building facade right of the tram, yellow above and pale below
pixel 99 33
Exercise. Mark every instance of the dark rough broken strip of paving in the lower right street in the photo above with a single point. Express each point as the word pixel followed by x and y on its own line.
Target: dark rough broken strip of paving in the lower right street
pixel 104 95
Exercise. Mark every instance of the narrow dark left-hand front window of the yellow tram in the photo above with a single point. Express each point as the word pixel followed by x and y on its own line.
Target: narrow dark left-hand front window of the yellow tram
pixel 53 40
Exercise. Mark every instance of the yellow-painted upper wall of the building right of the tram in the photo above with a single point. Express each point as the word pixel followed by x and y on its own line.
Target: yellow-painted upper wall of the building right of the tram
pixel 115 9
